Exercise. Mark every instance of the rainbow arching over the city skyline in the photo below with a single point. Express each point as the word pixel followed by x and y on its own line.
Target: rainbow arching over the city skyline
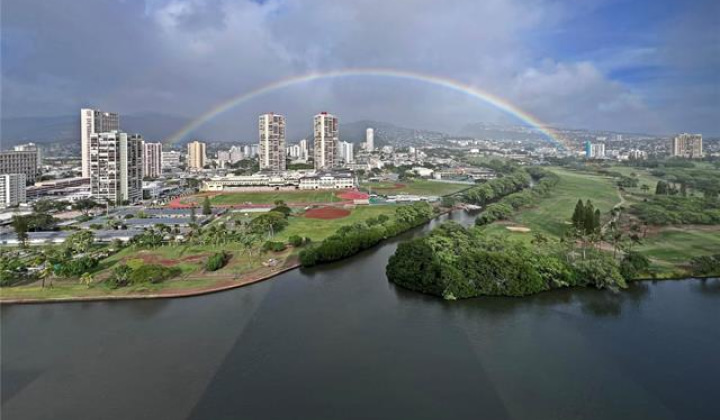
pixel 451 84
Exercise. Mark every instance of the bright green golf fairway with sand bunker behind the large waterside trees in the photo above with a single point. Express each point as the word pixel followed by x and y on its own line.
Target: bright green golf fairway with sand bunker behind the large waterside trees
pixel 552 214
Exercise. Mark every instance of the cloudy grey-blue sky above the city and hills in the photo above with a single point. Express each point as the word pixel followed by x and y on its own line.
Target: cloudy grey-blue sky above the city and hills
pixel 632 65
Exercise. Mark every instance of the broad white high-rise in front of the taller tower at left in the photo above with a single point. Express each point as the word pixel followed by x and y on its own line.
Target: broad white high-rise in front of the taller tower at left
pixel 116 167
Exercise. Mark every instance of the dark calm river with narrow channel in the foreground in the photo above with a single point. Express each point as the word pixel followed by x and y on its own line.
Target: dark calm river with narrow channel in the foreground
pixel 340 342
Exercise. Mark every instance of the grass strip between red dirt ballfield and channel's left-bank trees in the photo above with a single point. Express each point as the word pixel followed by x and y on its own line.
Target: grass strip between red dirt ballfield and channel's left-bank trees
pixel 319 229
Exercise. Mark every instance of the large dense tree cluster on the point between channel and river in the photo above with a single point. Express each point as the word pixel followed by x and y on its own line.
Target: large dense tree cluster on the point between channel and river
pixel 454 262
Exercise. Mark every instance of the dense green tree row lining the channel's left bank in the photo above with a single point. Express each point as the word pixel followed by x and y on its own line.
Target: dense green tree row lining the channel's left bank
pixel 349 240
